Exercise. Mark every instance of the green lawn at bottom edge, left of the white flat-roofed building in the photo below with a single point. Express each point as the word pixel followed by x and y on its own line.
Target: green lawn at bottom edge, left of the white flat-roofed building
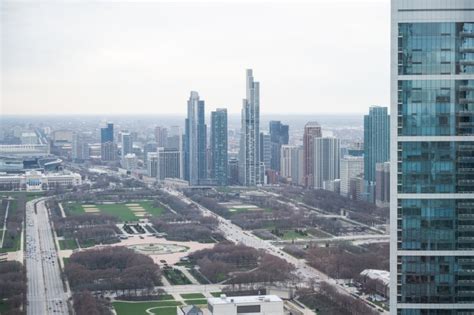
pixel 139 308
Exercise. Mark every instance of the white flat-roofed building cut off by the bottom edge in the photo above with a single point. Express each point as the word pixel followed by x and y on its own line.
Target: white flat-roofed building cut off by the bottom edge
pixel 255 305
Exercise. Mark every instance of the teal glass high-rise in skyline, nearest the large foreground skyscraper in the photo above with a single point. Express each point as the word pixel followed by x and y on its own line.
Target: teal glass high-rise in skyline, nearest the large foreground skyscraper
pixel 376 140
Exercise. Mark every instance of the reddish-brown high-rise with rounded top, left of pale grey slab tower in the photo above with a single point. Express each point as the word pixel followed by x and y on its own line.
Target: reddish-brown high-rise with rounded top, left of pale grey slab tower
pixel 311 130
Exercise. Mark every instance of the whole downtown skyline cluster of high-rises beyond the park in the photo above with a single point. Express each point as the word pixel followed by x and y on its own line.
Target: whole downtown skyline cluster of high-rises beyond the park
pixel 200 156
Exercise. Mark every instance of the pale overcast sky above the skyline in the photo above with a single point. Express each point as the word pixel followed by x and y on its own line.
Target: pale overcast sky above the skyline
pixel 326 56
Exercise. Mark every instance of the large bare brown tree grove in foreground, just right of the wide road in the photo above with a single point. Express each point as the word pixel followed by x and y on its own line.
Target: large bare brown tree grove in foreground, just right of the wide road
pixel 111 268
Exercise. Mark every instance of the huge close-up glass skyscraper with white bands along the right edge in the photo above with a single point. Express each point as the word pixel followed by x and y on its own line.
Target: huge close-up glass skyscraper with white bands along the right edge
pixel 432 158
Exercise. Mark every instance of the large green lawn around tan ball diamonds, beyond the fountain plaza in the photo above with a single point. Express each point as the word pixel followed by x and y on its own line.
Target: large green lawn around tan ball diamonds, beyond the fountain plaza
pixel 120 210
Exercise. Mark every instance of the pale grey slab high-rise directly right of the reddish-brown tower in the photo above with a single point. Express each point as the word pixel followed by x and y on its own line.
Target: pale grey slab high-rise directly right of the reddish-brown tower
pixel 326 161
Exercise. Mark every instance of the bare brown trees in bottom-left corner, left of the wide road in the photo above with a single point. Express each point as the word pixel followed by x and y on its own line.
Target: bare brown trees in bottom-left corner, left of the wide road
pixel 13 286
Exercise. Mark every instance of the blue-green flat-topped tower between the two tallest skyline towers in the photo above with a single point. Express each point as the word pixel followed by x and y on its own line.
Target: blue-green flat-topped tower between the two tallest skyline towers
pixel 219 159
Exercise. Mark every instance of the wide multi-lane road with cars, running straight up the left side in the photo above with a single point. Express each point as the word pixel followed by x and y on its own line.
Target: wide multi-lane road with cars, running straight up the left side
pixel 46 293
